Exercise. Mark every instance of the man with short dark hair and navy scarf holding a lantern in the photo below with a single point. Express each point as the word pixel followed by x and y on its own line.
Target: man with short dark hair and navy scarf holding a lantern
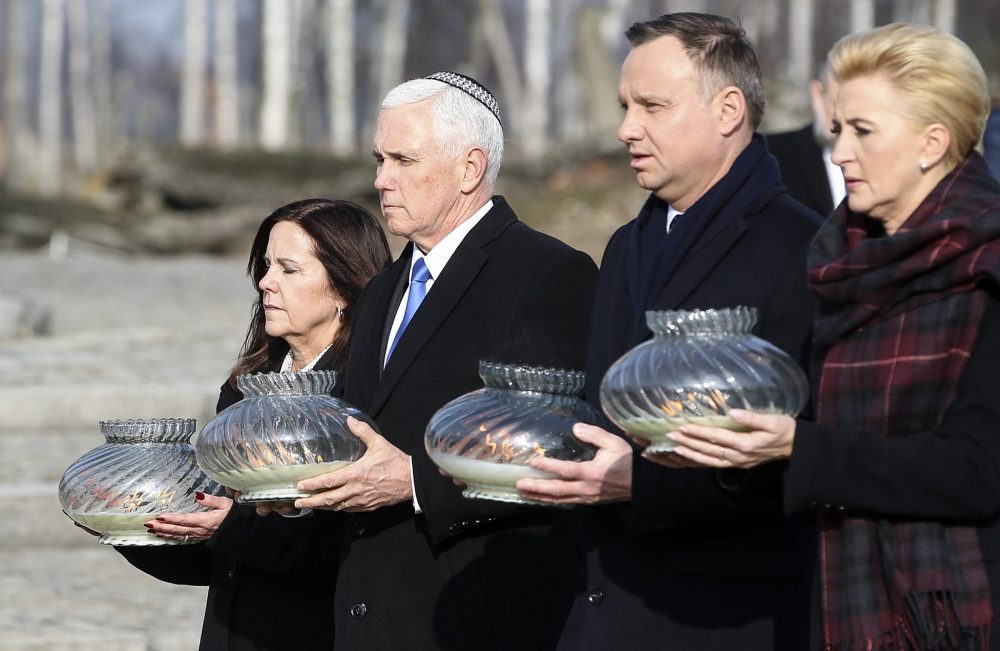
pixel 681 558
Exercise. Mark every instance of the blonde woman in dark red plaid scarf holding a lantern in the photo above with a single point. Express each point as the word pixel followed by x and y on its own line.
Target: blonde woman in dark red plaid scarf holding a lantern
pixel 902 464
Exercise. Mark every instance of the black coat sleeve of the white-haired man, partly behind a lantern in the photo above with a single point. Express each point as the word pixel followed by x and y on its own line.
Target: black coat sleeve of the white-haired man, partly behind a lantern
pixel 548 327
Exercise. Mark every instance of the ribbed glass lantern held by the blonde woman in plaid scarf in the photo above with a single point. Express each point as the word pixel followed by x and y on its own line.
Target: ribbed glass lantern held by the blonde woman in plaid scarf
pixel 699 365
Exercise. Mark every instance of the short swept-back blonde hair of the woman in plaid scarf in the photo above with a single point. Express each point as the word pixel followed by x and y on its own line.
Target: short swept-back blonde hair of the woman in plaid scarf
pixel 937 75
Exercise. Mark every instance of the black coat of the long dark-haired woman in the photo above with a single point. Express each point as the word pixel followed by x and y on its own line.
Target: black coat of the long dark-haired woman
pixel 269 582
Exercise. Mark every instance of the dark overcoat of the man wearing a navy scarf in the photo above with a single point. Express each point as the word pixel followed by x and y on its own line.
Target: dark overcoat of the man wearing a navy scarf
pixel 702 560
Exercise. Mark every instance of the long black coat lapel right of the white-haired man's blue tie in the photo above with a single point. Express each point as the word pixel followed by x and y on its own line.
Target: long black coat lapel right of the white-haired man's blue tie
pixel 444 295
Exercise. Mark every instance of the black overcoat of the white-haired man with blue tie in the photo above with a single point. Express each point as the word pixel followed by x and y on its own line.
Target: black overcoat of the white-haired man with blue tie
pixel 464 574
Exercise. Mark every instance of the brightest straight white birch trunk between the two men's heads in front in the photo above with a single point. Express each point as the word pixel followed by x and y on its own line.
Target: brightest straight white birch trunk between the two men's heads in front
pixel 534 135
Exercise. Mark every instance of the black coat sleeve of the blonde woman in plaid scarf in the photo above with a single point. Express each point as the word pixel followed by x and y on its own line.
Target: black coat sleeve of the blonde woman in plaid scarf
pixel 952 472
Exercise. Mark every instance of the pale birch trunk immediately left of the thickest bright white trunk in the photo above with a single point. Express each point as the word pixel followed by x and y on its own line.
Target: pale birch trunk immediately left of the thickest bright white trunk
pixel 227 93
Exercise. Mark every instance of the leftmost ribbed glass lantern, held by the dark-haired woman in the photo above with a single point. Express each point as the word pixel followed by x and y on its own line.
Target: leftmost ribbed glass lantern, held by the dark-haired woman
pixel 144 468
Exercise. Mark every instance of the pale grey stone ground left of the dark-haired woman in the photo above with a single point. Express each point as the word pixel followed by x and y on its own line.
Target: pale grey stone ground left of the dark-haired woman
pixel 129 338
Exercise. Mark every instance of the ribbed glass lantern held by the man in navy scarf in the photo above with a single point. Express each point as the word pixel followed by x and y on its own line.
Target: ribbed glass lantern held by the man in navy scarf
pixel 486 438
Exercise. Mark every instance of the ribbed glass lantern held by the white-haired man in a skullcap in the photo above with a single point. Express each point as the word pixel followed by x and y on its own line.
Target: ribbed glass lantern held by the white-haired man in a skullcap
pixel 287 428
